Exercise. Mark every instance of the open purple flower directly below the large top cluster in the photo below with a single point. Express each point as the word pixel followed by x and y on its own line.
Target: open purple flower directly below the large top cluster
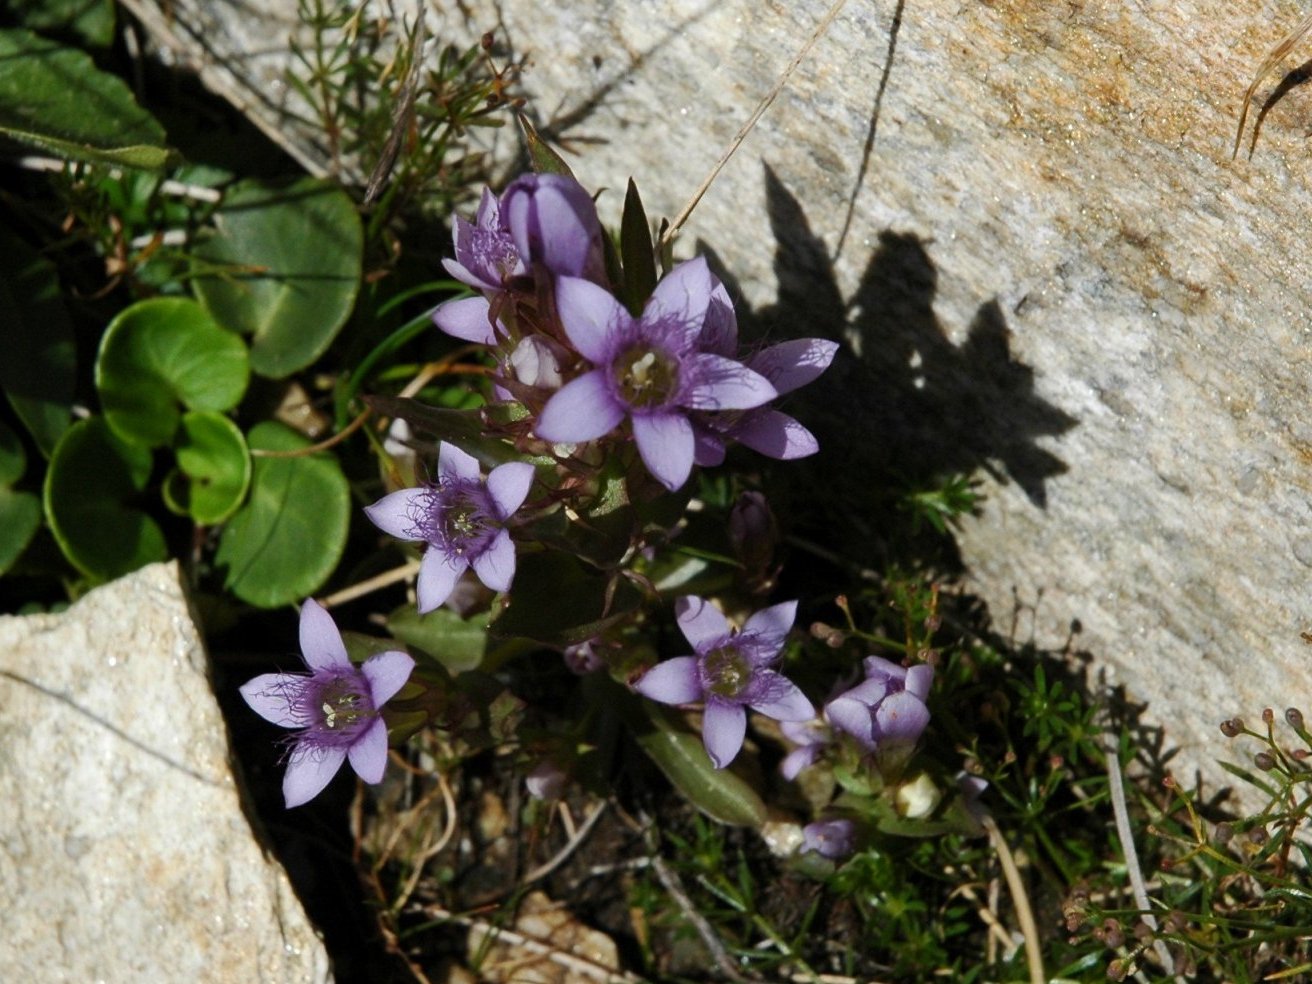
pixel 462 519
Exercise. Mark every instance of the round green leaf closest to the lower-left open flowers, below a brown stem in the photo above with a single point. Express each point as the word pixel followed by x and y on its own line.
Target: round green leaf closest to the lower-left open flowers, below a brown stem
pixel 287 541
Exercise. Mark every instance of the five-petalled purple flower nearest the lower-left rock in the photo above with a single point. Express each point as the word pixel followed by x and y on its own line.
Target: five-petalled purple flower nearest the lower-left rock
pixel 337 708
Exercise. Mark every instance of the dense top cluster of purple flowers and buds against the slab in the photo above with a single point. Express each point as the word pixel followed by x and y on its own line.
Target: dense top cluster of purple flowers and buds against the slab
pixel 670 379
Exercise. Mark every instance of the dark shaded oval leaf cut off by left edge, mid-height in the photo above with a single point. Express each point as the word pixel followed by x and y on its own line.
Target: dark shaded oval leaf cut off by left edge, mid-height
pixel 39 364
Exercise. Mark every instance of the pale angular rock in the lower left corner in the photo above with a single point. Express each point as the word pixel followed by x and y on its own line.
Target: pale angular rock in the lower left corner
pixel 125 853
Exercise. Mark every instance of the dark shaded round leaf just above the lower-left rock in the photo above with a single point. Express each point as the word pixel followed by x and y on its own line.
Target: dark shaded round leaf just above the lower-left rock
pixel 92 480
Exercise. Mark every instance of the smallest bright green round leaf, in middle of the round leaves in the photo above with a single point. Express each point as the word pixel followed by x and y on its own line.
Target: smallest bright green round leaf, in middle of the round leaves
pixel 213 469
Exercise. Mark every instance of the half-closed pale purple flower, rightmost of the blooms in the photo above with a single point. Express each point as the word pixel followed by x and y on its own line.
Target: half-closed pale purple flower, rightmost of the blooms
pixel 888 707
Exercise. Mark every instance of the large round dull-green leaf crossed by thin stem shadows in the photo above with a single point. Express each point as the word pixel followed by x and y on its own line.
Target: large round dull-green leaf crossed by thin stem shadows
pixel 284 267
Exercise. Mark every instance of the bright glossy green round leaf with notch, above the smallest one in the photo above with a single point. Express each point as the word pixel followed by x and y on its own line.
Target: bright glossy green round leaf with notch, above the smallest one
pixel 161 354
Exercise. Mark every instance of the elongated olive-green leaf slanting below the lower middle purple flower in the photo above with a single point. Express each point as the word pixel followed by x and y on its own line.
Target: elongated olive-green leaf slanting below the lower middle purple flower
pixel 720 793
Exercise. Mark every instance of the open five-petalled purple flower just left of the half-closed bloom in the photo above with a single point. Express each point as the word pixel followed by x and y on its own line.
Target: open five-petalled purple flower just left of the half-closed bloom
pixel 731 671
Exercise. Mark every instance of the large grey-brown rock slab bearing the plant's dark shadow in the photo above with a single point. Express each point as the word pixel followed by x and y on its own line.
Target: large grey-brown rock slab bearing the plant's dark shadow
pixel 1025 220
